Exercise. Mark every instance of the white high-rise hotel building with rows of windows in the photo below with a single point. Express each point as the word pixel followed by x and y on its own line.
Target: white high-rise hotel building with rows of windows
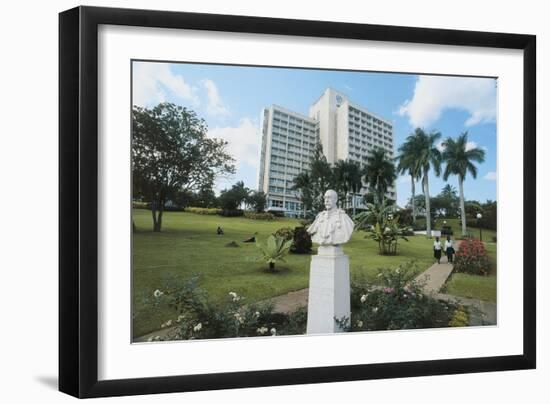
pixel 346 131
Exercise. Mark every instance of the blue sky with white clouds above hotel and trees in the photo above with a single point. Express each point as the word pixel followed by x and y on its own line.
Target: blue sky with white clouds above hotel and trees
pixel 230 99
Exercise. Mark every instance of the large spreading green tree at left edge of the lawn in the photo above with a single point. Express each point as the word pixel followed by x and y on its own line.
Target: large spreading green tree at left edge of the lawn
pixel 171 152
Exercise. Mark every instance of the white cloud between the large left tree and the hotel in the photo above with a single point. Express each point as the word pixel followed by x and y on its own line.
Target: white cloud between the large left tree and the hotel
pixel 243 141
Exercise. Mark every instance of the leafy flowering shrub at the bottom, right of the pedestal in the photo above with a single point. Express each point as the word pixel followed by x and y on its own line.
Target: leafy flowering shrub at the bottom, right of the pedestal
pixel 399 303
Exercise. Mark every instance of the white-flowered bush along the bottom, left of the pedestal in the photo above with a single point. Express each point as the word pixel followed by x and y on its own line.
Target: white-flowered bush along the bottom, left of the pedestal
pixel 197 317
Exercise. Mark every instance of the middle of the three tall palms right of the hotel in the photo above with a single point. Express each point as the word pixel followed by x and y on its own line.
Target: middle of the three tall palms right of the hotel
pixel 428 157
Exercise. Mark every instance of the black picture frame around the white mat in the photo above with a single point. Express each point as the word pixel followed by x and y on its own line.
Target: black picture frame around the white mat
pixel 78 196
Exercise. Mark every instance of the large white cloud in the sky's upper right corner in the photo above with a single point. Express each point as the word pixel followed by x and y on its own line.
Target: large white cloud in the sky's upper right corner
pixel 435 94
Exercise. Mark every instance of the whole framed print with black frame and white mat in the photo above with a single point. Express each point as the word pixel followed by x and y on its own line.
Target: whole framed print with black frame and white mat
pixel 250 201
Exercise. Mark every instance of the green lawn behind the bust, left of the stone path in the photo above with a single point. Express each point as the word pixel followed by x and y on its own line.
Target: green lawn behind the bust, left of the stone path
pixel 188 245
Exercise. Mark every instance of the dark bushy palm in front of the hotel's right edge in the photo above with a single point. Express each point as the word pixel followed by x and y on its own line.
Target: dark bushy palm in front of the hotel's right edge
pixel 380 173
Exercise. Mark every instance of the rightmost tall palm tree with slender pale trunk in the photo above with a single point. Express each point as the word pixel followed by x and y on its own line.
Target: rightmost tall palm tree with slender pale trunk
pixel 460 160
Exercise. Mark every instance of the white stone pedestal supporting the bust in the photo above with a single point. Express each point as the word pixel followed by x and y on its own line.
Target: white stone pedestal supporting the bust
pixel 329 290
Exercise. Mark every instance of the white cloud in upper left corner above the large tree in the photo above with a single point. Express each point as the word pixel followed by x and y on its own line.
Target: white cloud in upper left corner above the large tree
pixel 152 82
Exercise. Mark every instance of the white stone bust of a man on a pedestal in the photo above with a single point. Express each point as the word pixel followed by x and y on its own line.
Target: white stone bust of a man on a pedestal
pixel 332 226
